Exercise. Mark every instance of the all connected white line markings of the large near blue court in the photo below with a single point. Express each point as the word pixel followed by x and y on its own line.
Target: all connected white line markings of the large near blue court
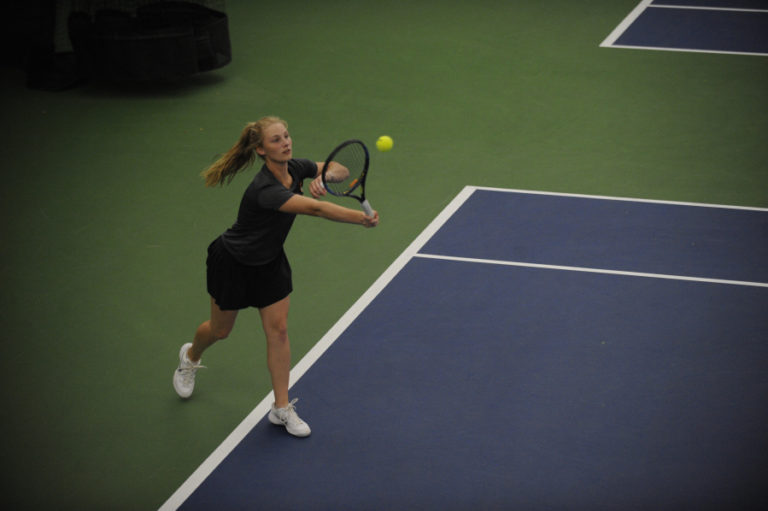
pixel 258 413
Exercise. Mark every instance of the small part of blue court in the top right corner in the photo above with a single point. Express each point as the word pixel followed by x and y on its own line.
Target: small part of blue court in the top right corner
pixel 717 26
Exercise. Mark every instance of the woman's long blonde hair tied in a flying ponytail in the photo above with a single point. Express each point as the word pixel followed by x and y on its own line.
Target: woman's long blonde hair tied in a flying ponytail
pixel 241 155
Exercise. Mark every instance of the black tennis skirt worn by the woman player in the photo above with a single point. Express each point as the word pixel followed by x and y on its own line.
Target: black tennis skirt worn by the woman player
pixel 236 286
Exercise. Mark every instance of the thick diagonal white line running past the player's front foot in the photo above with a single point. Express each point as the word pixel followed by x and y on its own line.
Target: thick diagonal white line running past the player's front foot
pixel 253 418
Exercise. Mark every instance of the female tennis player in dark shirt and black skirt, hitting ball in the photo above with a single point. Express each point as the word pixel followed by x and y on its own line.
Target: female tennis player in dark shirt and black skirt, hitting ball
pixel 246 265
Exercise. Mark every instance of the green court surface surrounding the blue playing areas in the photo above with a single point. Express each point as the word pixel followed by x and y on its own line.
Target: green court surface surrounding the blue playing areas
pixel 105 220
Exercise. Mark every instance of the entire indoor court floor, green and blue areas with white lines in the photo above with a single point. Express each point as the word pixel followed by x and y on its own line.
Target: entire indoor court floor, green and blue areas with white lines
pixel 563 307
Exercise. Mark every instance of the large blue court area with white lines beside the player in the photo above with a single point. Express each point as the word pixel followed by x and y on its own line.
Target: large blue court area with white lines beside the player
pixel 531 351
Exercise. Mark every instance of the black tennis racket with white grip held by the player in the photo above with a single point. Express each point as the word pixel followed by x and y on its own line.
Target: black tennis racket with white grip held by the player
pixel 345 171
